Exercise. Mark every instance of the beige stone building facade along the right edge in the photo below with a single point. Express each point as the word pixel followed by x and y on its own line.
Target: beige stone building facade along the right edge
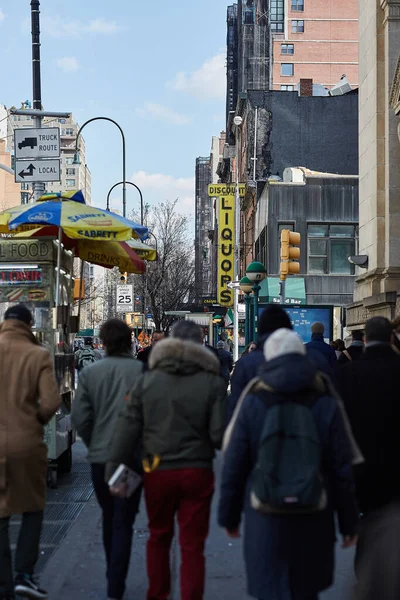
pixel 378 283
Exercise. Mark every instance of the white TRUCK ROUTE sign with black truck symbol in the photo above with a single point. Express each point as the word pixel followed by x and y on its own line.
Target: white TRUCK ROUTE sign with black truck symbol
pixel 37 143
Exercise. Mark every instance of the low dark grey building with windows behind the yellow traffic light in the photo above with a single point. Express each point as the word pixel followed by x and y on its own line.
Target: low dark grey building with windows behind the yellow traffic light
pixel 323 208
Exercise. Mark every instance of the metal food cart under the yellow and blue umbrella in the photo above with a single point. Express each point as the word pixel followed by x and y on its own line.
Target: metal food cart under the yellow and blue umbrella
pixel 28 275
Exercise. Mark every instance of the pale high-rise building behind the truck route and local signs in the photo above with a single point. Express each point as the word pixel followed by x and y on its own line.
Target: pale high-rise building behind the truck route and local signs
pixel 73 177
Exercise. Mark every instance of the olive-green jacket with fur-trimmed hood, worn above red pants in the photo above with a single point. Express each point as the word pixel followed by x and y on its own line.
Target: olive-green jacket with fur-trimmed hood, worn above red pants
pixel 178 406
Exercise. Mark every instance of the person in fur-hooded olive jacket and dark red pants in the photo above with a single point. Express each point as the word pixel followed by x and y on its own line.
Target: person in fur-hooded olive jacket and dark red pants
pixel 178 408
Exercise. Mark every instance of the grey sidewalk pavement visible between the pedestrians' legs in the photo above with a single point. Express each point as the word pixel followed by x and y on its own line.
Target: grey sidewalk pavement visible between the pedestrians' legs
pixel 76 571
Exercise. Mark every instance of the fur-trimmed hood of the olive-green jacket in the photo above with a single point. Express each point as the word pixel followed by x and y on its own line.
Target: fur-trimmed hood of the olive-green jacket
pixel 181 357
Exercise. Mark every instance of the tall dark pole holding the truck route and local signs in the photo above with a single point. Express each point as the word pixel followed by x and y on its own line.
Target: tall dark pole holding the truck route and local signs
pixel 38 187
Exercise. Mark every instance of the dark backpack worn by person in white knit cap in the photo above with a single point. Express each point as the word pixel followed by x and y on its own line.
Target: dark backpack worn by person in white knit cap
pixel 287 477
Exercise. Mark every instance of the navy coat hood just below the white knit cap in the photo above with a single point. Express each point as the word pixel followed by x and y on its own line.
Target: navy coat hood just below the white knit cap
pixel 289 374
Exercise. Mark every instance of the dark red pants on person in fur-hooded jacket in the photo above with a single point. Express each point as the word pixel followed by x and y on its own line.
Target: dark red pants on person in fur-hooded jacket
pixel 187 492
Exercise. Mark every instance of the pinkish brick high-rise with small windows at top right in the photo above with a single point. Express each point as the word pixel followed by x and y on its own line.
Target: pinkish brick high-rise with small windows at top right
pixel 314 39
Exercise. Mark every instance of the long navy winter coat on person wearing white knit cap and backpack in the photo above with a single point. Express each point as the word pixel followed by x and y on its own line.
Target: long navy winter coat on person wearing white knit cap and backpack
pixel 287 557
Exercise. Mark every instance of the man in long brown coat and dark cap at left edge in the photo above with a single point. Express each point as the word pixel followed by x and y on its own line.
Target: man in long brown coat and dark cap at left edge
pixel 29 398
